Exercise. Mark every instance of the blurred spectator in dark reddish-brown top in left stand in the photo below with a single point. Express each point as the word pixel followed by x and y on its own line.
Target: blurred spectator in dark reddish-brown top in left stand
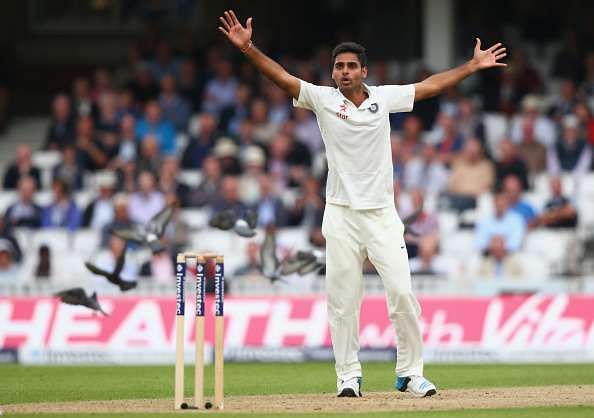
pixel 91 155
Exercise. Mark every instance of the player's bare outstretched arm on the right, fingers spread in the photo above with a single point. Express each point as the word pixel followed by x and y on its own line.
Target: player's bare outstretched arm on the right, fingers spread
pixel 435 84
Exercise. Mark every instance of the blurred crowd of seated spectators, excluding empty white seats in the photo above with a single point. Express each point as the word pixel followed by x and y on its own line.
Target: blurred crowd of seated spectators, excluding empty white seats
pixel 165 111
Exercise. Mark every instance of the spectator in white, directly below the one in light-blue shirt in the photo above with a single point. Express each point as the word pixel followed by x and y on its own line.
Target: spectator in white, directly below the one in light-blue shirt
pixel 498 261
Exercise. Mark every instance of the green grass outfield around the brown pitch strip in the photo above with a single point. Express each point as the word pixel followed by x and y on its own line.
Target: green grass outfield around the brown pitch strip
pixel 20 384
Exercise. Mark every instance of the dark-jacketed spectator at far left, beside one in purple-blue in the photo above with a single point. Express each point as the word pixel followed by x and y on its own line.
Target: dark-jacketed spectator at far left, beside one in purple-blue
pixel 24 212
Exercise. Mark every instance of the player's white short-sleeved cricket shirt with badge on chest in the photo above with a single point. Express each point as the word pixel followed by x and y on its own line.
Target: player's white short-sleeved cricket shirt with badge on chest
pixel 357 140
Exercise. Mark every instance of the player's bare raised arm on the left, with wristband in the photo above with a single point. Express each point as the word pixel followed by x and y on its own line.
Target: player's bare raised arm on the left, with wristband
pixel 241 37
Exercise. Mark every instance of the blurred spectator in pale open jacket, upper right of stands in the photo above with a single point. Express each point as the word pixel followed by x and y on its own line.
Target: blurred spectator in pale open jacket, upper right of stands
pixel 541 127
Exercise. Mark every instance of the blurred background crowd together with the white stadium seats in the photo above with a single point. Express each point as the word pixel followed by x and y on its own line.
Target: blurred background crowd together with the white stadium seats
pixel 502 165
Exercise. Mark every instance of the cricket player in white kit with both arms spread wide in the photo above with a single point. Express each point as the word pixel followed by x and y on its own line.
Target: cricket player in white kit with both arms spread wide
pixel 360 218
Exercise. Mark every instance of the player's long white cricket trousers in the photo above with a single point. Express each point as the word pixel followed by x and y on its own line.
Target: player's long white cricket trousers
pixel 351 236
